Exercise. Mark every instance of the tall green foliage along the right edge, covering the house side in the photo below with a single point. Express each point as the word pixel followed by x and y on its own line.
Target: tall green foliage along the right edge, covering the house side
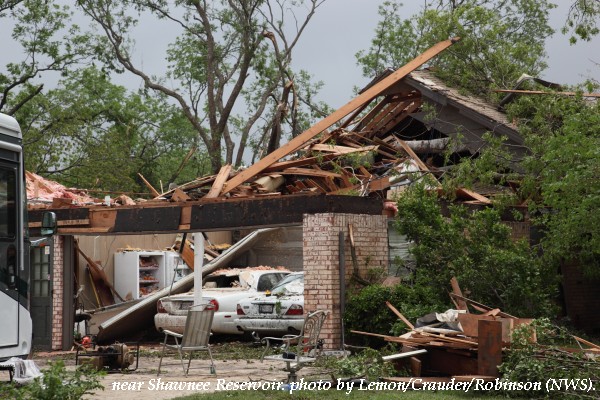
pixel 564 136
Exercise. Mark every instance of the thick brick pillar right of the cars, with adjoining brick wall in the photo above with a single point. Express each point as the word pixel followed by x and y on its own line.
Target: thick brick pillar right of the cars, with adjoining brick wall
pixel 322 261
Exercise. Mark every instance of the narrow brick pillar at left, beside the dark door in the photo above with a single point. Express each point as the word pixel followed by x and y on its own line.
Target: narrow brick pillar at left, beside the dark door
pixel 57 292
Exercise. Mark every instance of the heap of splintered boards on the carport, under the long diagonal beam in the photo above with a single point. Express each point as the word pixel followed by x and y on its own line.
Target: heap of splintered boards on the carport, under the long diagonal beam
pixel 382 144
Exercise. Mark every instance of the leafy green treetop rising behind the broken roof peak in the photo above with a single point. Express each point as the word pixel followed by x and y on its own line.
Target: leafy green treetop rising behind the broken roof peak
pixel 500 40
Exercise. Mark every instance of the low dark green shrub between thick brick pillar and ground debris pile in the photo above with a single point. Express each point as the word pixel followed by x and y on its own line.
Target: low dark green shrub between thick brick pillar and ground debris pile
pixel 412 301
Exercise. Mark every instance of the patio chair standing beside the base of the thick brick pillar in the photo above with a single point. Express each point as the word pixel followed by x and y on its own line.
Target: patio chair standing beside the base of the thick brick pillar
pixel 298 350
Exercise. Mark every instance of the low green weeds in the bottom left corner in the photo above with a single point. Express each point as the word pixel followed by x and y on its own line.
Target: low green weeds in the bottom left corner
pixel 59 384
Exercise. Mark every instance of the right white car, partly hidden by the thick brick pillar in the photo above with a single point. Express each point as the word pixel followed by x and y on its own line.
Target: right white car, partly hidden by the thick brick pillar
pixel 281 311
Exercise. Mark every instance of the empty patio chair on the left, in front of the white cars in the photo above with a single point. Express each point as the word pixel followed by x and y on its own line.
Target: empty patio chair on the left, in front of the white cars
pixel 195 337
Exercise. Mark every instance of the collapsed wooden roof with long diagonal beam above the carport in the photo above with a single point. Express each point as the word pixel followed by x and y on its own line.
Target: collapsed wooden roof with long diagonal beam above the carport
pixel 384 137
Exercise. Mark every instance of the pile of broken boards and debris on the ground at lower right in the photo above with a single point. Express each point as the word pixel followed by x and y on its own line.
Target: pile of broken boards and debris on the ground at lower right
pixel 458 344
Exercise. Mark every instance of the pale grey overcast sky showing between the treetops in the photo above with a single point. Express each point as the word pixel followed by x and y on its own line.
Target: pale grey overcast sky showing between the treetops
pixel 338 30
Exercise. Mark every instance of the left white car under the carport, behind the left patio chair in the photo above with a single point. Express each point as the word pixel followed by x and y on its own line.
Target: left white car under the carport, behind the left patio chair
pixel 222 289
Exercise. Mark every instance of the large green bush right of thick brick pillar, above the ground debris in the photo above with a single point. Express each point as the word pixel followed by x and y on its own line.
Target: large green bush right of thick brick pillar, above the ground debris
pixel 477 249
